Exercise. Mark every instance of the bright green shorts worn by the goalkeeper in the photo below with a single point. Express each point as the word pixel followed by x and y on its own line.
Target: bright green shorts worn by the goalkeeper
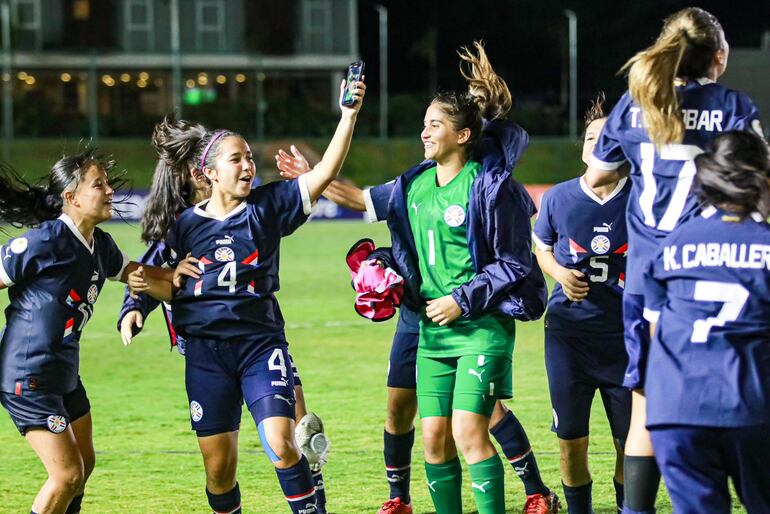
pixel 471 383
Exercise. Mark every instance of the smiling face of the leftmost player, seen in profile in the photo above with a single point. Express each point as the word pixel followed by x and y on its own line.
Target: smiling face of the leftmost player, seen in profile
pixel 92 197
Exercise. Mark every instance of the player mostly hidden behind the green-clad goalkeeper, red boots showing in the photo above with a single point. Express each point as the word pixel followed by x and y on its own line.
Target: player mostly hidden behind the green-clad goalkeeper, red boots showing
pixel 502 143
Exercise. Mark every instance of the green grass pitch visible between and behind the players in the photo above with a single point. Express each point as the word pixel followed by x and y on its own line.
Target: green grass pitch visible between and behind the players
pixel 147 457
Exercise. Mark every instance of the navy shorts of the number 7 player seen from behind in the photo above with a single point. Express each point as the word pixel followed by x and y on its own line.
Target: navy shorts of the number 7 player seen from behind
pixel 696 463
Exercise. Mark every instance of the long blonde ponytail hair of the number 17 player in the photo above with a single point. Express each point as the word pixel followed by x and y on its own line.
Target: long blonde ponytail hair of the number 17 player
pixel 685 48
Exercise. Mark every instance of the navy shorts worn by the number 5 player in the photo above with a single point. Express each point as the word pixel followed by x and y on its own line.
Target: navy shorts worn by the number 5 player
pixel 578 365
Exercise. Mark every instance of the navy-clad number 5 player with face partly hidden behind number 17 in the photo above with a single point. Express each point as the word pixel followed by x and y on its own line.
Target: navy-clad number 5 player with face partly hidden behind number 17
pixel 581 241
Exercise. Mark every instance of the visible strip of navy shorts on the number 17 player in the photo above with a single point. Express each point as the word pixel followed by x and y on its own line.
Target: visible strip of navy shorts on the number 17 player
pixel 636 332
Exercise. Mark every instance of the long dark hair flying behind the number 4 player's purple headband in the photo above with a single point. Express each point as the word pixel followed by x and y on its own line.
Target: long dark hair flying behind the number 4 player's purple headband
pixel 180 145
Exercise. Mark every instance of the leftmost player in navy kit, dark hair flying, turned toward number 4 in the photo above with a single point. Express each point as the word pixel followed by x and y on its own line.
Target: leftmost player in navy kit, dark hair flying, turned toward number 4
pixel 55 273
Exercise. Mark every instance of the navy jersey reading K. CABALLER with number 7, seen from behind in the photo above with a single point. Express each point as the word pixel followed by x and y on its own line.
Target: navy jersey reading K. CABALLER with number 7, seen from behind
pixel 708 289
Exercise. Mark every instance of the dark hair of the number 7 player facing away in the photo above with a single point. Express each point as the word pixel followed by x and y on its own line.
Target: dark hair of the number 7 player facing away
pixel 734 174
